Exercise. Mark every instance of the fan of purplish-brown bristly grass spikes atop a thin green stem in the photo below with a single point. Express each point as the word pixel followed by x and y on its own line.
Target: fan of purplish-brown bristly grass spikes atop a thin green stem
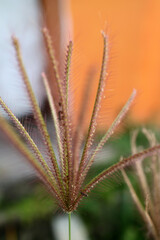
pixel 65 176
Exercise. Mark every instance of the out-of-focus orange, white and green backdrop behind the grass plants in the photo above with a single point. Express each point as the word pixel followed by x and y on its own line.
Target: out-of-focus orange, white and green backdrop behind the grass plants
pixel 26 210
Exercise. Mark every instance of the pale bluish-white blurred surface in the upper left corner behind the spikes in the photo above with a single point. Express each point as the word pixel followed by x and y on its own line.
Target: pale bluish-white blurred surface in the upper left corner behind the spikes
pixel 23 19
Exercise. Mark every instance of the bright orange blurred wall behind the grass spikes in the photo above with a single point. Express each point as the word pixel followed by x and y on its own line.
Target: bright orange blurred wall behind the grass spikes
pixel 135 30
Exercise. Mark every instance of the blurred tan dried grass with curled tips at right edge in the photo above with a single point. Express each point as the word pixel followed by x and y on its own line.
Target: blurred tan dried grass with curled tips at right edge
pixel 148 204
